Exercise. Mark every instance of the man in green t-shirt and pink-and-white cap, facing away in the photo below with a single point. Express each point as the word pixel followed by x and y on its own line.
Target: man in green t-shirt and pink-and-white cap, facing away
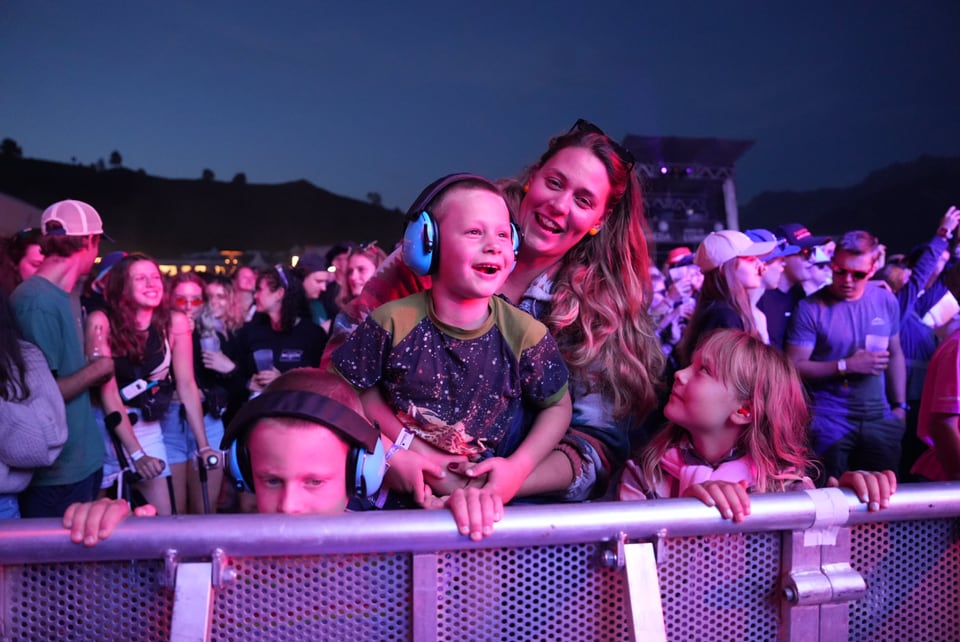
pixel 70 244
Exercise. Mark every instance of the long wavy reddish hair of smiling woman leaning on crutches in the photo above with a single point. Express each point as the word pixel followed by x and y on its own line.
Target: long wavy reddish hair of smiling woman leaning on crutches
pixel 125 339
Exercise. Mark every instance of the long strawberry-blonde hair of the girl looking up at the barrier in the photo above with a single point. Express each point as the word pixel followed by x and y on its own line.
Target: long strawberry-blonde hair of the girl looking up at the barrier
pixel 763 377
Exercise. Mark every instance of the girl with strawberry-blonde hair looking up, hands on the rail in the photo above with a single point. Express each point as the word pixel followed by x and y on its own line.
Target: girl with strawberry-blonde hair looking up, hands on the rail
pixel 737 423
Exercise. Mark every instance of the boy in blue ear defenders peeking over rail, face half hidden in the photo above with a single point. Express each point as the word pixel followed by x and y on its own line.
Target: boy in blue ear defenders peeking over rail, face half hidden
pixel 303 446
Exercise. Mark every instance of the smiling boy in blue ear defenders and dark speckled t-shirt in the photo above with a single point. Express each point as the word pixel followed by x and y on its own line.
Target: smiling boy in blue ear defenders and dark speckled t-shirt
pixel 472 377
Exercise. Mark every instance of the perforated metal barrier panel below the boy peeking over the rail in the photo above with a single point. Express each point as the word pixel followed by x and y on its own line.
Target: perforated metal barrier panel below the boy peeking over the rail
pixel 344 597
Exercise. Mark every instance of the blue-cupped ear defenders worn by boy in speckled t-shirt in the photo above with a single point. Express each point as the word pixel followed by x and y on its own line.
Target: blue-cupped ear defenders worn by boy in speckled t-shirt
pixel 421 236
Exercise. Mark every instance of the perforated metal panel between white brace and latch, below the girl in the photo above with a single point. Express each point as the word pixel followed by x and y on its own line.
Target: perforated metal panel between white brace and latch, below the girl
pixel 720 587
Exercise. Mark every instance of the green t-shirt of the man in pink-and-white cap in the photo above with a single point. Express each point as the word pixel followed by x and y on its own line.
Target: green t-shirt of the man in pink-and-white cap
pixel 46 319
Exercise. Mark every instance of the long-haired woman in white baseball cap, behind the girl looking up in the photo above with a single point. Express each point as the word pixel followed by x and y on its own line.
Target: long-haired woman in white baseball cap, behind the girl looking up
pixel 731 268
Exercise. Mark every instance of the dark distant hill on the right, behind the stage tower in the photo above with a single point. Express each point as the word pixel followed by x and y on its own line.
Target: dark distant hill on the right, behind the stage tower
pixel 901 204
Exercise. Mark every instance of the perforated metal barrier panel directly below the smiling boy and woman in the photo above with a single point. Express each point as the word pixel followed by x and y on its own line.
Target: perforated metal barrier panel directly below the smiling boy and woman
pixel 537 593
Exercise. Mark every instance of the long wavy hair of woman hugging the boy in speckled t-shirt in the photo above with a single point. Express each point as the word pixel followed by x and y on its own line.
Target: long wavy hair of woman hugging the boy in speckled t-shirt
pixel 602 289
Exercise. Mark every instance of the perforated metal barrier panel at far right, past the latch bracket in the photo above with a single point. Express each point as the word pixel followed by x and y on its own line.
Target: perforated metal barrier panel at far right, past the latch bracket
pixel 912 571
